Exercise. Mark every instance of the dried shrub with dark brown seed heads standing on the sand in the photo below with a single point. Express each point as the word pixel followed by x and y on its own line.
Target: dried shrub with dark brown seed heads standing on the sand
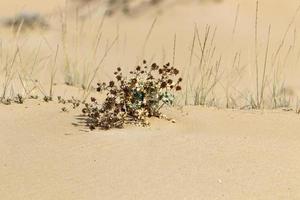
pixel 133 99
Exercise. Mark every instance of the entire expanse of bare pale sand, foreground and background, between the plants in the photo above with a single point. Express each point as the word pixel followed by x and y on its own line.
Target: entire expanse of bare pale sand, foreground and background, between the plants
pixel 209 153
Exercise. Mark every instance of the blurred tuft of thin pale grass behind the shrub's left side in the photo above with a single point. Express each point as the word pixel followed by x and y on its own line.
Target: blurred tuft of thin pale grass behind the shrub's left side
pixel 80 68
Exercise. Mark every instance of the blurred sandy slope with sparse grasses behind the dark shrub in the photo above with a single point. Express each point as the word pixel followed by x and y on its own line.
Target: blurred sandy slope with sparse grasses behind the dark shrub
pixel 81 35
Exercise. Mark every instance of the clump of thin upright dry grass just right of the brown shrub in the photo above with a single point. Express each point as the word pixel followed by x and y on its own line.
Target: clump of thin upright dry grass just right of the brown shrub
pixel 206 74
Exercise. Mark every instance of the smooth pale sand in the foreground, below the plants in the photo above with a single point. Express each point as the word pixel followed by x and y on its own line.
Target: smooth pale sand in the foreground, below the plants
pixel 207 154
